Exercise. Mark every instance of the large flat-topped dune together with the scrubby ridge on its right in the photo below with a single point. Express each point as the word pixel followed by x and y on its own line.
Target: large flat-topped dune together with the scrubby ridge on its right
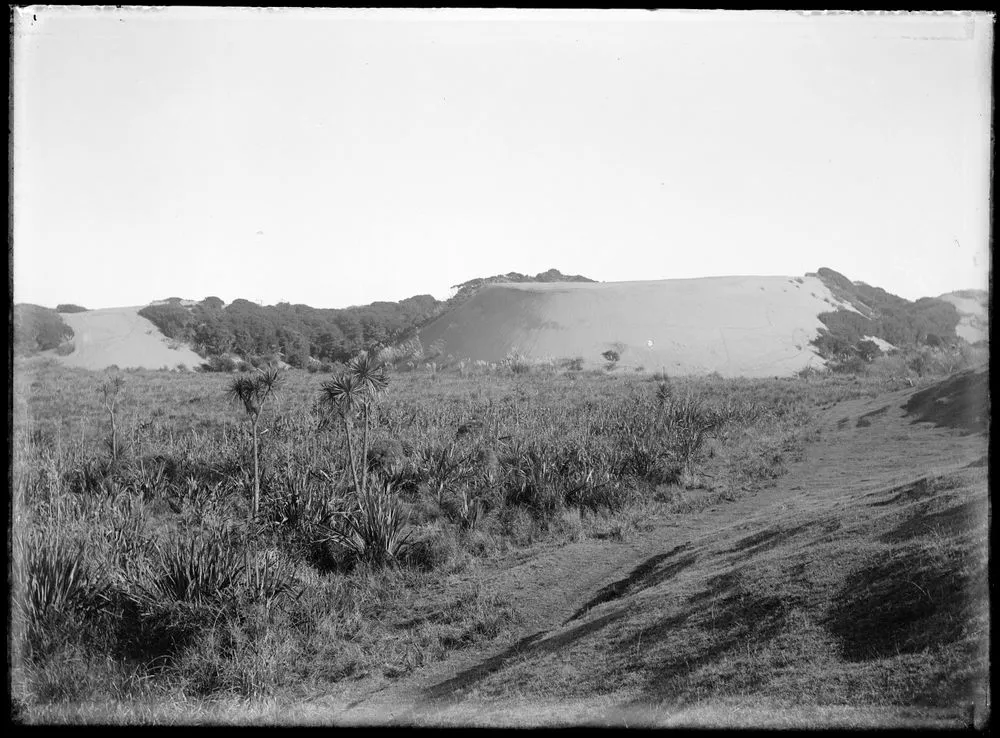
pixel 749 326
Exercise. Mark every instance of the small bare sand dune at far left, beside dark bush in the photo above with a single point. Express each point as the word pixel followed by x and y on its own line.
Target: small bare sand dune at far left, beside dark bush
pixel 120 336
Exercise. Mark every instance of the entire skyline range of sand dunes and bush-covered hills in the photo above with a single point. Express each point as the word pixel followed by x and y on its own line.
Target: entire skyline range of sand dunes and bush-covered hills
pixel 754 326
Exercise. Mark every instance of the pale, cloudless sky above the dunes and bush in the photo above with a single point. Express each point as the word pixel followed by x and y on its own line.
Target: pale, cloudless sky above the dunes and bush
pixel 337 158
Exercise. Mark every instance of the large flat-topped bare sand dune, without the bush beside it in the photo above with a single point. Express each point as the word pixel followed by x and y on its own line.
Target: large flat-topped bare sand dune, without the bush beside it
pixel 737 326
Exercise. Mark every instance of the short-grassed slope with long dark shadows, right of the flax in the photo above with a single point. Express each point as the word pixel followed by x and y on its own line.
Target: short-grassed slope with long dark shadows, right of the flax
pixel 853 592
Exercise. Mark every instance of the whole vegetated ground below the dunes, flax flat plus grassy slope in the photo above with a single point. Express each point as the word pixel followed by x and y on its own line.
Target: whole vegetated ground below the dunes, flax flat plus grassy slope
pixel 820 561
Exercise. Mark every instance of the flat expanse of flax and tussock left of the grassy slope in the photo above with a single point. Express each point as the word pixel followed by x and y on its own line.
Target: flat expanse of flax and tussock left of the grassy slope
pixel 170 585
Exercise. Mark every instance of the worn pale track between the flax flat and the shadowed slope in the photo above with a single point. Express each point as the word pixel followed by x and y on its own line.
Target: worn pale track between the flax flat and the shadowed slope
pixel 554 589
